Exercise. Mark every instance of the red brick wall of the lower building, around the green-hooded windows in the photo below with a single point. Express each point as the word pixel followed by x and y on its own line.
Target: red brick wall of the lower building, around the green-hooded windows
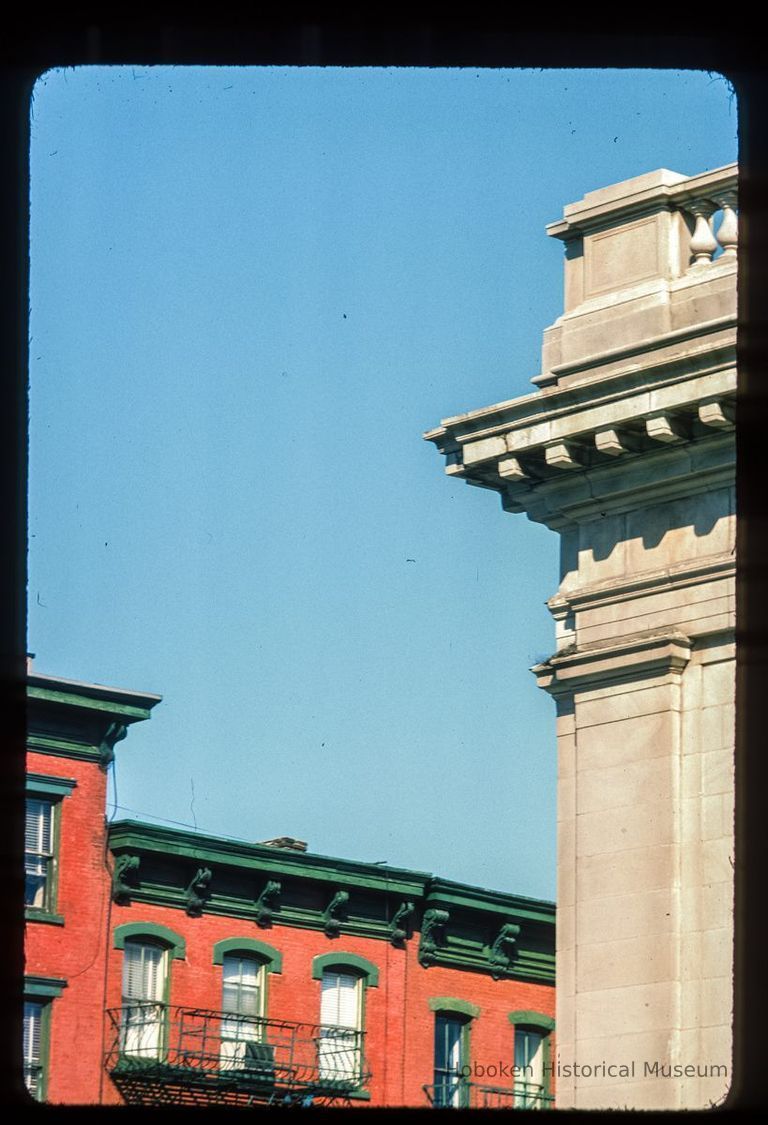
pixel 399 1047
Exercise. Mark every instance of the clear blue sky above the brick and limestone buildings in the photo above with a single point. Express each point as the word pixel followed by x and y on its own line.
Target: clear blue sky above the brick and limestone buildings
pixel 252 292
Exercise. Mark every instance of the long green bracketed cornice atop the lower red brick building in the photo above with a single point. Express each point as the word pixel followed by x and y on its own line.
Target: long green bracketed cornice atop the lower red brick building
pixel 457 925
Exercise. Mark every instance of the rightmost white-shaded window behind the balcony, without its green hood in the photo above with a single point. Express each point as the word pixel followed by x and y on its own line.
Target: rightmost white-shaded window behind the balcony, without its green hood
pixel 340 1048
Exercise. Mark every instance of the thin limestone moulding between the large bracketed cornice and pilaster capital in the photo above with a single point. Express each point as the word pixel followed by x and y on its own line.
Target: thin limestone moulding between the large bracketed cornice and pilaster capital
pixel 616 591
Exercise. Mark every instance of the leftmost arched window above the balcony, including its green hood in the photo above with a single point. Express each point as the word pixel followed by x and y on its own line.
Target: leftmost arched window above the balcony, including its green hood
pixel 148 952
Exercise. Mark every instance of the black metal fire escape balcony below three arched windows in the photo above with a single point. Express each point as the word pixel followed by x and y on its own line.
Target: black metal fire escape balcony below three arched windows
pixel 169 1056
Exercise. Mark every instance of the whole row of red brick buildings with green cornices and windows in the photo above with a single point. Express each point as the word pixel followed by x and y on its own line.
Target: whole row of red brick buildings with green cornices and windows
pixel 168 967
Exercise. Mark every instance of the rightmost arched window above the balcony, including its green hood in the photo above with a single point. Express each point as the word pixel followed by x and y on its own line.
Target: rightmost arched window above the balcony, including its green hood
pixel 345 979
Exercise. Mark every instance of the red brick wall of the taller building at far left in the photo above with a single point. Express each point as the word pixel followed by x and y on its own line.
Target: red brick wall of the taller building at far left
pixel 76 951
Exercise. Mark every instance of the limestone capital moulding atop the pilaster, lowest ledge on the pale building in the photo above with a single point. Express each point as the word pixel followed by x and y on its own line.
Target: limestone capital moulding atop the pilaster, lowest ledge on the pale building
pixel 645 655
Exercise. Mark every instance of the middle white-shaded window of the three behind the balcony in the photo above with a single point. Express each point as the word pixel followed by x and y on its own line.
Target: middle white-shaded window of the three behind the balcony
pixel 243 1007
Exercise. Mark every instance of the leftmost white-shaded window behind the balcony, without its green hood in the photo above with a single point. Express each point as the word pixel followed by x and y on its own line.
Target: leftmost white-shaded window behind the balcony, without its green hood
pixel 144 988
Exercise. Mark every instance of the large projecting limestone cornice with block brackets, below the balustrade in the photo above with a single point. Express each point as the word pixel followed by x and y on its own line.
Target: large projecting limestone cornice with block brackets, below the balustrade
pixel 575 454
